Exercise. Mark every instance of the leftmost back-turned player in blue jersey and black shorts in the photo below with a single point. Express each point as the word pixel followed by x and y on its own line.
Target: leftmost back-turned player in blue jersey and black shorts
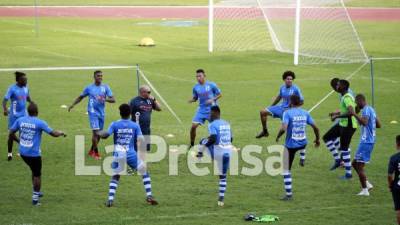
pixel 30 130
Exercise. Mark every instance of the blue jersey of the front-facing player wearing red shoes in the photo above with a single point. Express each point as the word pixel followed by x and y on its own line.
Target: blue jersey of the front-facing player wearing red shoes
pixel 97 98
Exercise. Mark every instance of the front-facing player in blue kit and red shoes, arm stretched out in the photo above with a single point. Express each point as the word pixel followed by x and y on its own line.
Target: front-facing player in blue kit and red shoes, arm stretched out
pixel 98 94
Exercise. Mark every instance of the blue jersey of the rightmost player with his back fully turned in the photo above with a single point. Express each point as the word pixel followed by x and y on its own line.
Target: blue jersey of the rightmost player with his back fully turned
pixel 296 120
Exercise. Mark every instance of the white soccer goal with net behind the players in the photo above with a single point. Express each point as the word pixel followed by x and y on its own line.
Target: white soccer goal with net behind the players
pixel 313 31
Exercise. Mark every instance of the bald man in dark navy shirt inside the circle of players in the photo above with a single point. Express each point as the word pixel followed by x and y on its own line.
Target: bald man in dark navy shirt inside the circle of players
pixel 141 109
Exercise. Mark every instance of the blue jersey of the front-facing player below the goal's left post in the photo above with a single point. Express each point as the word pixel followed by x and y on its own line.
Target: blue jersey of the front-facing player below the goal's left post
pixel 203 93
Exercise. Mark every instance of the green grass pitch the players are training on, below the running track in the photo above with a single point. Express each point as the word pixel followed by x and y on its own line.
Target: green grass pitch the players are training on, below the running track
pixel 248 81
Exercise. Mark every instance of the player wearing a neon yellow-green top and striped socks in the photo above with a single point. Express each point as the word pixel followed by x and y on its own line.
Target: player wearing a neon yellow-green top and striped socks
pixel 347 127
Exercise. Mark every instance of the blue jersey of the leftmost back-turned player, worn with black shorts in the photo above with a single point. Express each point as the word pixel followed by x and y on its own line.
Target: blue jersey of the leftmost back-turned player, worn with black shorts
pixel 30 134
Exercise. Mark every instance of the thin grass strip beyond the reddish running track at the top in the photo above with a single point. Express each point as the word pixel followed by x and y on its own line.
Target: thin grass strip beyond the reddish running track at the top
pixel 354 3
